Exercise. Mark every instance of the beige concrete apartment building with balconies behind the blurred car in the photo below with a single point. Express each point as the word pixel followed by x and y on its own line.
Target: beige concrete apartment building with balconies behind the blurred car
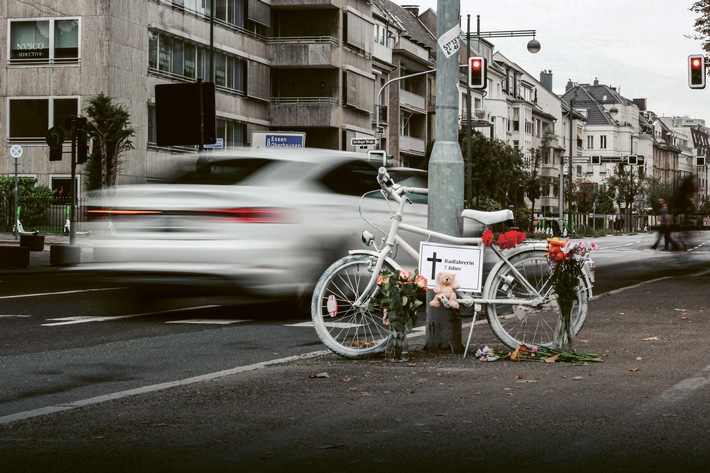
pixel 286 65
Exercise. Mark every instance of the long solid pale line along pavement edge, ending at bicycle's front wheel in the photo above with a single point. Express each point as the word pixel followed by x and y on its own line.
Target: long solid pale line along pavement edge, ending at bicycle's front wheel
pixel 155 387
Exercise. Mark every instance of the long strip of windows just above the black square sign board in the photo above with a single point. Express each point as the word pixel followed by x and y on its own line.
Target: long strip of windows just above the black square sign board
pixel 174 57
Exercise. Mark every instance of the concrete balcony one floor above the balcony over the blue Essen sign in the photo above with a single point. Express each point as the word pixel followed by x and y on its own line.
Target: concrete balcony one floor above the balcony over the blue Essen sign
pixel 304 51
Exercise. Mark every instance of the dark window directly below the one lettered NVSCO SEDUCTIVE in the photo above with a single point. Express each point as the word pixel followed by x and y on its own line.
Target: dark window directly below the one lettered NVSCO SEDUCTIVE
pixel 30 118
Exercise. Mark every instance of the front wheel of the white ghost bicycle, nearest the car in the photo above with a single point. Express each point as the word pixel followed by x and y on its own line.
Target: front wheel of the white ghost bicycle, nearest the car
pixel 345 326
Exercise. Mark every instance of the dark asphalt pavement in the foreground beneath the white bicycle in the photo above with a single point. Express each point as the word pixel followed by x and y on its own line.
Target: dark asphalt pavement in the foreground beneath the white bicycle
pixel 644 408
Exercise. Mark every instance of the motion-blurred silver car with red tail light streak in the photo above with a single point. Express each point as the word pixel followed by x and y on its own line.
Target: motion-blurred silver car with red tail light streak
pixel 266 223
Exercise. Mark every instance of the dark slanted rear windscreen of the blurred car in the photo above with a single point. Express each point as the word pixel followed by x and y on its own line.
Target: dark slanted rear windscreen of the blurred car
pixel 223 172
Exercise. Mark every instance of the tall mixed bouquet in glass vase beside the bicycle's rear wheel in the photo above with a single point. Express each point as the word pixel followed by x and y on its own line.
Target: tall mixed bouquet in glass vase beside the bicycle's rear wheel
pixel 567 260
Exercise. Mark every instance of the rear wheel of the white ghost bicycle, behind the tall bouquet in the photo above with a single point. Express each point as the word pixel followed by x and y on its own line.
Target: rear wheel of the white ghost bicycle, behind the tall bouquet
pixel 527 323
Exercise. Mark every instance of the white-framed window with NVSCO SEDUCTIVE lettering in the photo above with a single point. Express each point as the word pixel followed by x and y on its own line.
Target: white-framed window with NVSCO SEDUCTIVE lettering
pixel 46 41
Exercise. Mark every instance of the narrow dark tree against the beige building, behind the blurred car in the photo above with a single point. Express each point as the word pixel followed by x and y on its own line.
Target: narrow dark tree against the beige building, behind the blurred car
pixel 109 127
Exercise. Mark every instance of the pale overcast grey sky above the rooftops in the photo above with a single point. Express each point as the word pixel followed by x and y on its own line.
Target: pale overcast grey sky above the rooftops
pixel 638 46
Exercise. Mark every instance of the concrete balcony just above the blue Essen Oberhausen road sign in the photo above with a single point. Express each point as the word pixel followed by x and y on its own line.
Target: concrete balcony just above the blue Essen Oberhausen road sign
pixel 304 111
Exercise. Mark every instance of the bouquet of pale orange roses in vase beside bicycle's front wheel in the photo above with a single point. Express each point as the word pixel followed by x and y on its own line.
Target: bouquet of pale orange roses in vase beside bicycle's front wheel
pixel 399 296
